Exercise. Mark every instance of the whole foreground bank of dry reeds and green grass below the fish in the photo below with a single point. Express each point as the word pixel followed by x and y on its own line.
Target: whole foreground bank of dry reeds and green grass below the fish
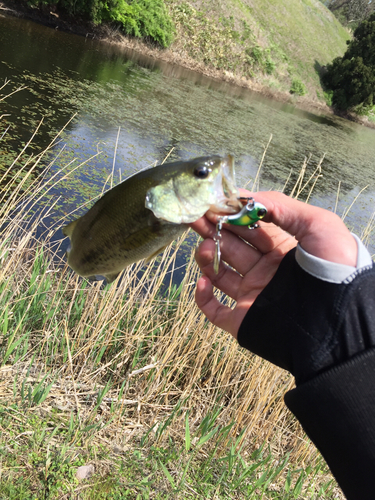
pixel 132 379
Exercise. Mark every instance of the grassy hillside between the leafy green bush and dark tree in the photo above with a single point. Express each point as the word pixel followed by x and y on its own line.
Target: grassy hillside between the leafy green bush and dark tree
pixel 273 42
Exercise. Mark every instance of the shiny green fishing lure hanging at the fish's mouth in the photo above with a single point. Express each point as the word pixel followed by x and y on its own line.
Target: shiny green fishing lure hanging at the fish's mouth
pixel 249 215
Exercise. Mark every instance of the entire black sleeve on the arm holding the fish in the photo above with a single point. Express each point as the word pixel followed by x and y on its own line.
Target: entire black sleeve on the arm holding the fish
pixel 324 334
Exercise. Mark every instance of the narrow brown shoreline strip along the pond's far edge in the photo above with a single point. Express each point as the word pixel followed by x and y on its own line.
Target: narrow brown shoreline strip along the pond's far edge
pixel 106 34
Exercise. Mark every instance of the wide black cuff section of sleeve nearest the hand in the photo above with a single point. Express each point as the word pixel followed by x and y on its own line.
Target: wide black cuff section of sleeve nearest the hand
pixel 306 324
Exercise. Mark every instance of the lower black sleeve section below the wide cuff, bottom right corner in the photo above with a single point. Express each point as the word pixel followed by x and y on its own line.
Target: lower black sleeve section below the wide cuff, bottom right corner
pixel 337 411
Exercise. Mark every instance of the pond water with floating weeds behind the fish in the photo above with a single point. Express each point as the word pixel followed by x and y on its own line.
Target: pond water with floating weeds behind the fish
pixel 137 110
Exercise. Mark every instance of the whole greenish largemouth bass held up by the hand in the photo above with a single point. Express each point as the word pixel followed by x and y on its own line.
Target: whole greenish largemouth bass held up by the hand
pixel 140 217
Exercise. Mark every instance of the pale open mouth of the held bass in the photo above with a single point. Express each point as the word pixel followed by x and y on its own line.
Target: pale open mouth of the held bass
pixel 226 190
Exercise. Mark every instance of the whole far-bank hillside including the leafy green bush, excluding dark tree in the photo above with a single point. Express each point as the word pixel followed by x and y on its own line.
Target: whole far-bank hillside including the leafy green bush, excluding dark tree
pixel 276 44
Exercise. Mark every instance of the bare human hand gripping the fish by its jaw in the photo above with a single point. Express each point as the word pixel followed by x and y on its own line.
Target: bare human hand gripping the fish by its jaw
pixel 254 256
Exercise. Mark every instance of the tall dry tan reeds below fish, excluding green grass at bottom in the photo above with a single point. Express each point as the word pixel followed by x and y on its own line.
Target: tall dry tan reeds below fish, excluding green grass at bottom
pixel 111 363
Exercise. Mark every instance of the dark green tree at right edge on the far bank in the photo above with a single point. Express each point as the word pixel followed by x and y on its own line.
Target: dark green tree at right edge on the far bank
pixel 352 77
